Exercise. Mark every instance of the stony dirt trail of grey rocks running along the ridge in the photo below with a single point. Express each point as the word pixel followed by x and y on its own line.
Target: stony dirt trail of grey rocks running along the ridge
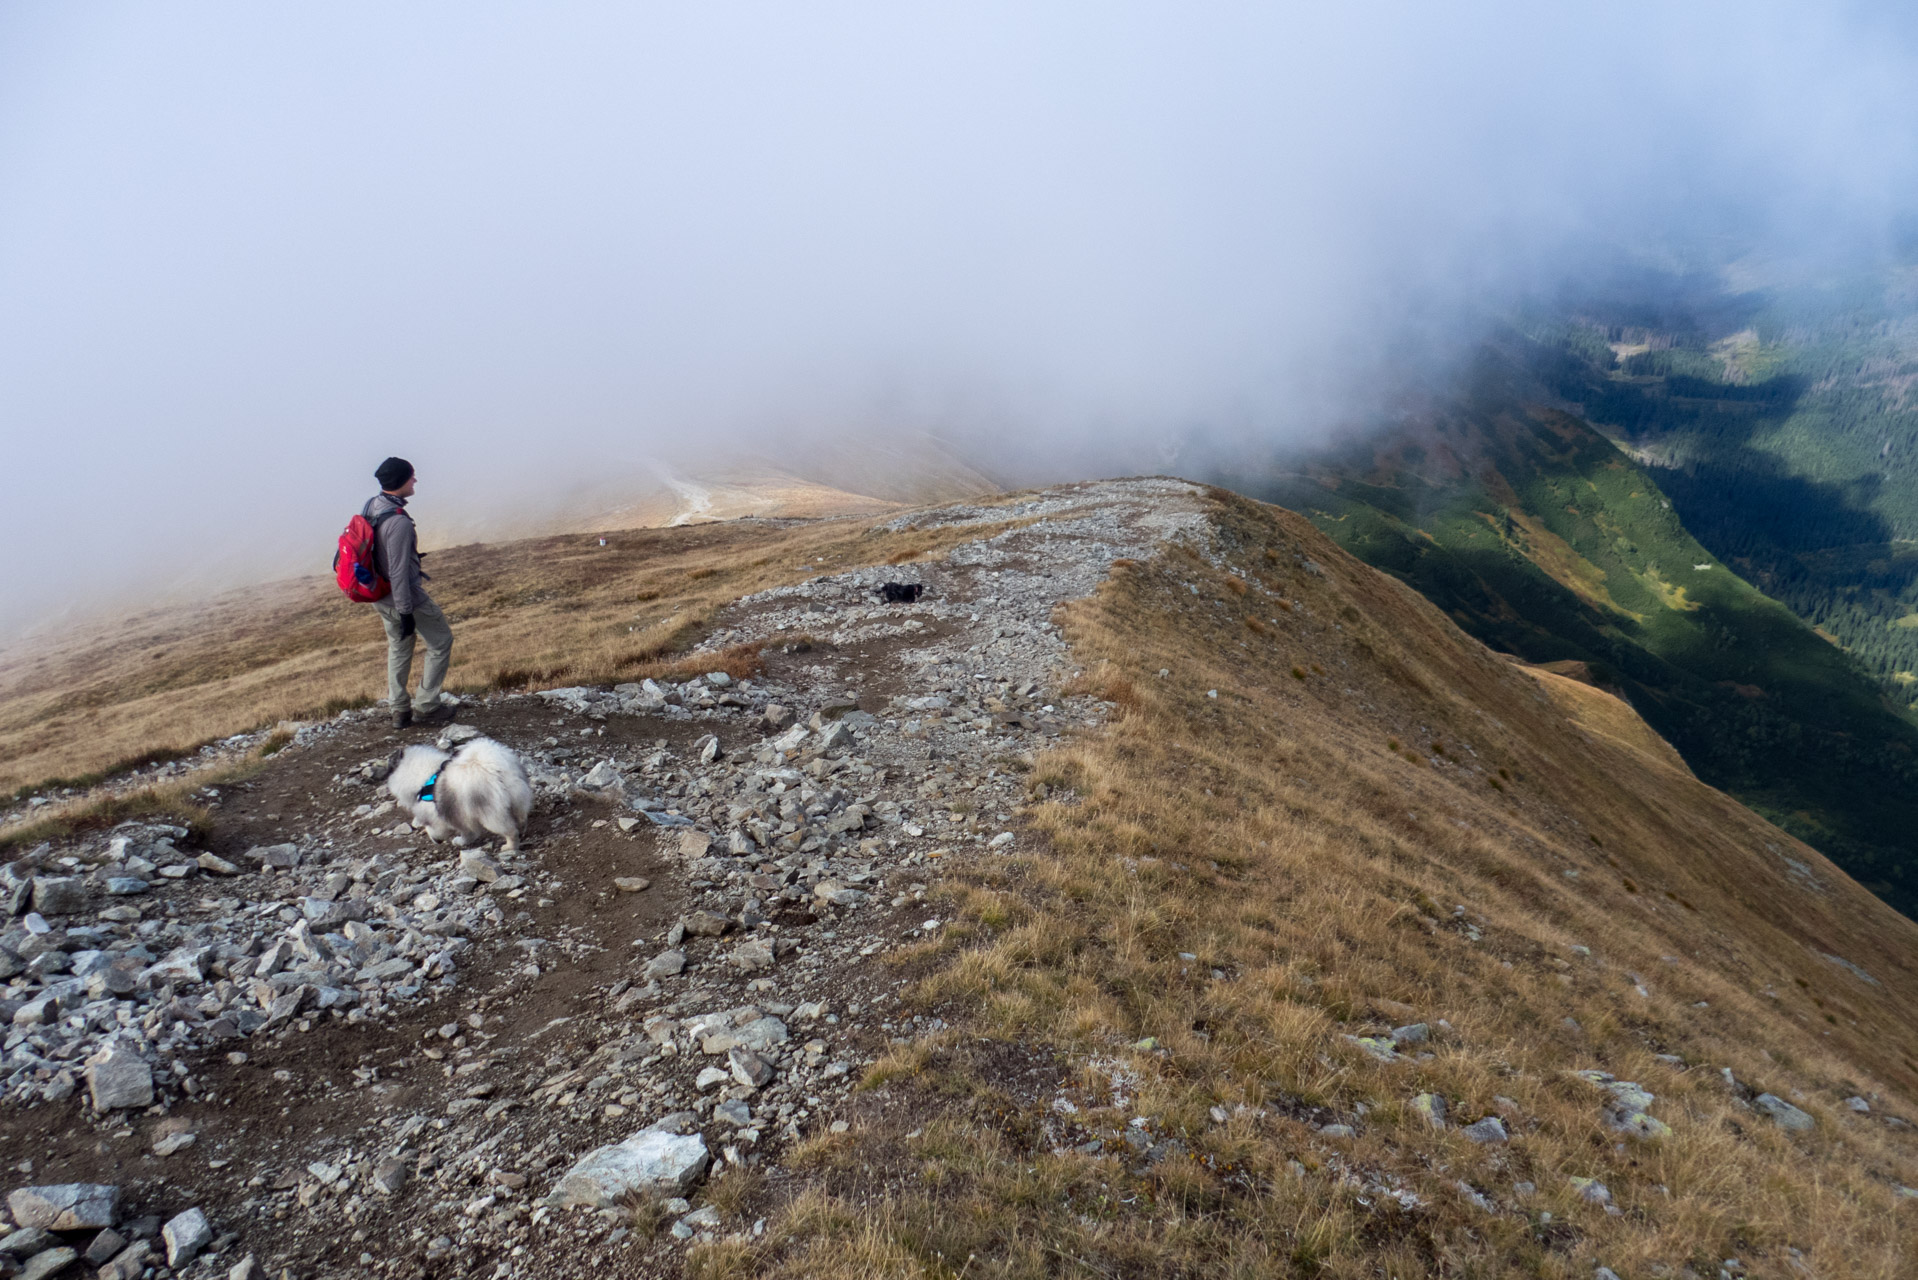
pixel 386 1058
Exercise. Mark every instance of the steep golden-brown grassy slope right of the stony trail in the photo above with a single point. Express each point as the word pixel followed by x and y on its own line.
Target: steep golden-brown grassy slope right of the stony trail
pixel 1228 888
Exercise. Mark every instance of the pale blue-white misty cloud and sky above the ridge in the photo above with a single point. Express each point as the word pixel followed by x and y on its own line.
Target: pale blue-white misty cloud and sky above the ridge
pixel 248 250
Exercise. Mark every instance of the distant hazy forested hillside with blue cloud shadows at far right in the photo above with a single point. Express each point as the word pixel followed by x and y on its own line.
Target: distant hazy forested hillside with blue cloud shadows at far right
pixel 1785 427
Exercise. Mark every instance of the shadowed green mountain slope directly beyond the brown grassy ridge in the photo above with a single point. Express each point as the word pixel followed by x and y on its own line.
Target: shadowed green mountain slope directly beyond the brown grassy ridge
pixel 1541 538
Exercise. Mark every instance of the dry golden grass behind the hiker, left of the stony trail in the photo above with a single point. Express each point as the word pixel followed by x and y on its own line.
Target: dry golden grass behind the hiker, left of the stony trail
pixel 525 615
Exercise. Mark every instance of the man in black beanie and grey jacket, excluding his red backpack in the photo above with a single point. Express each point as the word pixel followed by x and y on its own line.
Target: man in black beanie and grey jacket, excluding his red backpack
pixel 408 611
